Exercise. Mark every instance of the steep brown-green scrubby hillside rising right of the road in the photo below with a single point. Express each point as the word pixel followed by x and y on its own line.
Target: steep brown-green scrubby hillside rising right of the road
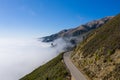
pixel 98 56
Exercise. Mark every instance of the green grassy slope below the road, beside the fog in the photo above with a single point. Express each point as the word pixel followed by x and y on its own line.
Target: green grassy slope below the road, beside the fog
pixel 53 70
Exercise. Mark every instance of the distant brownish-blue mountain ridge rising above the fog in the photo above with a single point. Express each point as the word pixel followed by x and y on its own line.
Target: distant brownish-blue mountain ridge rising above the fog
pixel 78 31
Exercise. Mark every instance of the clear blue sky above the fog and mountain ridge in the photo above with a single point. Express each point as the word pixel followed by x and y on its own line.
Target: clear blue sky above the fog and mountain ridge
pixel 36 18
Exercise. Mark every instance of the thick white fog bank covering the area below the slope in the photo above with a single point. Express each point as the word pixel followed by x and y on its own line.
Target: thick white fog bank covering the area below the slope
pixel 19 57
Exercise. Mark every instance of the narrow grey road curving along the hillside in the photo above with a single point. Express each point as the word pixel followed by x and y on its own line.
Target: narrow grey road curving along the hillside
pixel 76 74
